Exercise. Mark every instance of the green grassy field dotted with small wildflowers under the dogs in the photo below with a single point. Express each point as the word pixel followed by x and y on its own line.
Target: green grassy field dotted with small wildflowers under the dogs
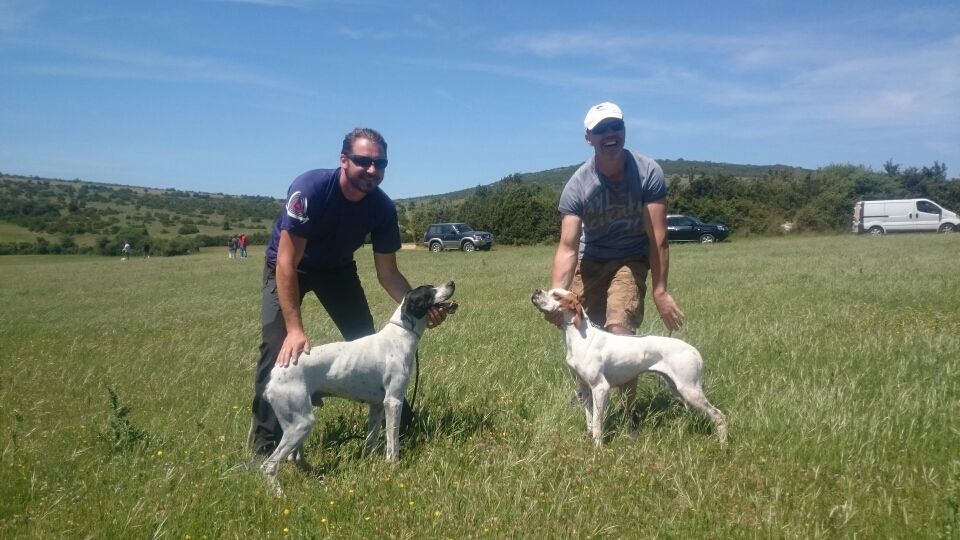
pixel 125 390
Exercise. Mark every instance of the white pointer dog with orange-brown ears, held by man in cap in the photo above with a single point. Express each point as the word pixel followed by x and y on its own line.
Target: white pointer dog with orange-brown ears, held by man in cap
pixel 601 360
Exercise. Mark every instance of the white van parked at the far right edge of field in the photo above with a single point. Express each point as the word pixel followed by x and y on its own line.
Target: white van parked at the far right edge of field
pixel 903 215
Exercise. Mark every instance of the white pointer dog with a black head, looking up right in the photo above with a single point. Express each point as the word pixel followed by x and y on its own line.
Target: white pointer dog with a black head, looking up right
pixel 373 369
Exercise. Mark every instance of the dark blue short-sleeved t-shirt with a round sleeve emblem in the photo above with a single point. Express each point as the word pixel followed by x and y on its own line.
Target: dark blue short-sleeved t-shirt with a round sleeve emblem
pixel 333 226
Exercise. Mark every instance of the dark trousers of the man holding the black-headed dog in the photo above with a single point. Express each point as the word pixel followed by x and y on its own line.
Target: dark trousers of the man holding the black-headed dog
pixel 341 294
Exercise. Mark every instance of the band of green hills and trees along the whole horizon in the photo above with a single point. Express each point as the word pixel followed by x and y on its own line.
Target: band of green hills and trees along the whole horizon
pixel 519 209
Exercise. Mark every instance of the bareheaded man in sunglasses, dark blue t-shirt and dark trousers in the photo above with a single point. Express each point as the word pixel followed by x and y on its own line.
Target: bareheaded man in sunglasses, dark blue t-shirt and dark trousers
pixel 328 215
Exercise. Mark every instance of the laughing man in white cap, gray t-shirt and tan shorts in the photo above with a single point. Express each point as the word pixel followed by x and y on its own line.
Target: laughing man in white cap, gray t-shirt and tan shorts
pixel 614 230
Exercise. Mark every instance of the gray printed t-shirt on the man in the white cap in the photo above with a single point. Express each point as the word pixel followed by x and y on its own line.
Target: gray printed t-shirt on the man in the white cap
pixel 612 213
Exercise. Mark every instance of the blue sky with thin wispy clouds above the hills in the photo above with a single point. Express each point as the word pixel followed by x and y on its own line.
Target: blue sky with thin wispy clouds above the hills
pixel 240 97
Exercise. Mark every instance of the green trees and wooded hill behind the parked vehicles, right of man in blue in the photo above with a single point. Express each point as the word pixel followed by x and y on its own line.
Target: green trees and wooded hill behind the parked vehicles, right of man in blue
pixel 519 212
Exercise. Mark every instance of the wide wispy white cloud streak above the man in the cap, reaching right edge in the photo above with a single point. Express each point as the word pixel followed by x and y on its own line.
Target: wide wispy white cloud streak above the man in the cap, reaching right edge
pixel 830 77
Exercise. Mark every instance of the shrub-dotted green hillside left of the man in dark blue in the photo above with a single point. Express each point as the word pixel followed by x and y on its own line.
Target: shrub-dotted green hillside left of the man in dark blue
pixel 91 216
